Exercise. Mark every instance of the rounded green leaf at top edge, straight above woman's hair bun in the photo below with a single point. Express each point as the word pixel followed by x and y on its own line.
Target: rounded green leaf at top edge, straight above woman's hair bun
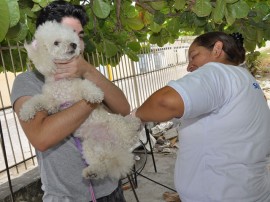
pixel 239 9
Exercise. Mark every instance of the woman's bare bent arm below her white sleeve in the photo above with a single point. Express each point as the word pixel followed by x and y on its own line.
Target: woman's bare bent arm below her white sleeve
pixel 163 105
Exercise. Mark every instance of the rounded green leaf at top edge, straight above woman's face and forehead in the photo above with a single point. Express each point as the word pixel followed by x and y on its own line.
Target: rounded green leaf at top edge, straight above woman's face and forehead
pixel 202 8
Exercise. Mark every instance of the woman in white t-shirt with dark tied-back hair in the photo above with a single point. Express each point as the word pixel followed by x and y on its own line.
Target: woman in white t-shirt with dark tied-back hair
pixel 225 124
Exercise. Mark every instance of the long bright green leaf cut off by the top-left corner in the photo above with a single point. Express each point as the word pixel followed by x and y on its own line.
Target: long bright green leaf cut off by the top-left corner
pixel 4 19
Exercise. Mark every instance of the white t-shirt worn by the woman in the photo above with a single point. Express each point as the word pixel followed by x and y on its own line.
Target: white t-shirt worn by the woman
pixel 224 137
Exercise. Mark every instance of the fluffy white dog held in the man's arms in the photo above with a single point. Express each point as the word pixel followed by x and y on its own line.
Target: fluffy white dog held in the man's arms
pixel 106 138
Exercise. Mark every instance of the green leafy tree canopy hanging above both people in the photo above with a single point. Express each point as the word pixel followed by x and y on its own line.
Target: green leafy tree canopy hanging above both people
pixel 118 27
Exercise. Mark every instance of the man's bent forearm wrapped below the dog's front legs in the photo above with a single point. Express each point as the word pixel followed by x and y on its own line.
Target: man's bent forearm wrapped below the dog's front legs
pixel 45 131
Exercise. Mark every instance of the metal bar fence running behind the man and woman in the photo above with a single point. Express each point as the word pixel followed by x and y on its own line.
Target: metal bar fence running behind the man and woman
pixel 138 80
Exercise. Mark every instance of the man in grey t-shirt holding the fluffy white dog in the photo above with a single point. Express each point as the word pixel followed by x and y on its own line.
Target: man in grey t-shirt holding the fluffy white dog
pixel 59 160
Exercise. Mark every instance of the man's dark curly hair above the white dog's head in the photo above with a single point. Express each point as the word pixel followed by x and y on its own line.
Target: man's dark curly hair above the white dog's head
pixel 57 10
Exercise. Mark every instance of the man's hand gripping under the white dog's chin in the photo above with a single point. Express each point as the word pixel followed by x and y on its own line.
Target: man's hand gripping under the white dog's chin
pixel 74 68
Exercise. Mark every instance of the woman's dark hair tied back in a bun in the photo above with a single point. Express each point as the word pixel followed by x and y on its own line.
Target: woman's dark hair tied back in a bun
pixel 232 44
